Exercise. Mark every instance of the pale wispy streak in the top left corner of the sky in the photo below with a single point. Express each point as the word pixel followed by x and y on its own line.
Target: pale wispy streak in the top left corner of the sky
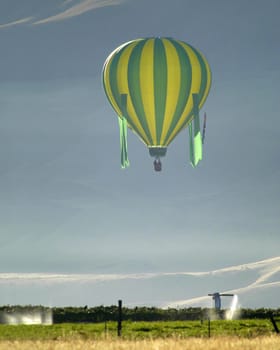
pixel 74 8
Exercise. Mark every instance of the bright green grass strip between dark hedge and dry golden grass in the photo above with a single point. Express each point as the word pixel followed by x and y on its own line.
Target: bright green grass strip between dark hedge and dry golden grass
pixel 137 330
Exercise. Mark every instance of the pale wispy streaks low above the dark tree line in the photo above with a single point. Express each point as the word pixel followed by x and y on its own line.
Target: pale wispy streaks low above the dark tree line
pixel 267 272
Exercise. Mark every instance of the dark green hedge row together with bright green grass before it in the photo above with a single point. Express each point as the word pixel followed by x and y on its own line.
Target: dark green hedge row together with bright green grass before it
pixel 138 323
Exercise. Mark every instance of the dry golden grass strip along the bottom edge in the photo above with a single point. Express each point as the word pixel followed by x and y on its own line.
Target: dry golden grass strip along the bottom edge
pixel 221 343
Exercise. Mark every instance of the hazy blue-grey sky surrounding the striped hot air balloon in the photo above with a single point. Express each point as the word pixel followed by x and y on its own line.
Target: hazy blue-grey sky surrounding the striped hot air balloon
pixel 68 208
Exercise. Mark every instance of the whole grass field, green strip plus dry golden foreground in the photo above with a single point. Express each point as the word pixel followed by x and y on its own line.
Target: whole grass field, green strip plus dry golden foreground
pixel 191 335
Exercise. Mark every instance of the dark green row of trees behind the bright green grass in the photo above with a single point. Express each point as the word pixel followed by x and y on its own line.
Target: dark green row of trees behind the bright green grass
pixel 110 313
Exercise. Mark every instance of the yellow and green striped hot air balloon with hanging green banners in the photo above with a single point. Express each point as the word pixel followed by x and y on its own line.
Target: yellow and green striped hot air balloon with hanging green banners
pixel 157 86
